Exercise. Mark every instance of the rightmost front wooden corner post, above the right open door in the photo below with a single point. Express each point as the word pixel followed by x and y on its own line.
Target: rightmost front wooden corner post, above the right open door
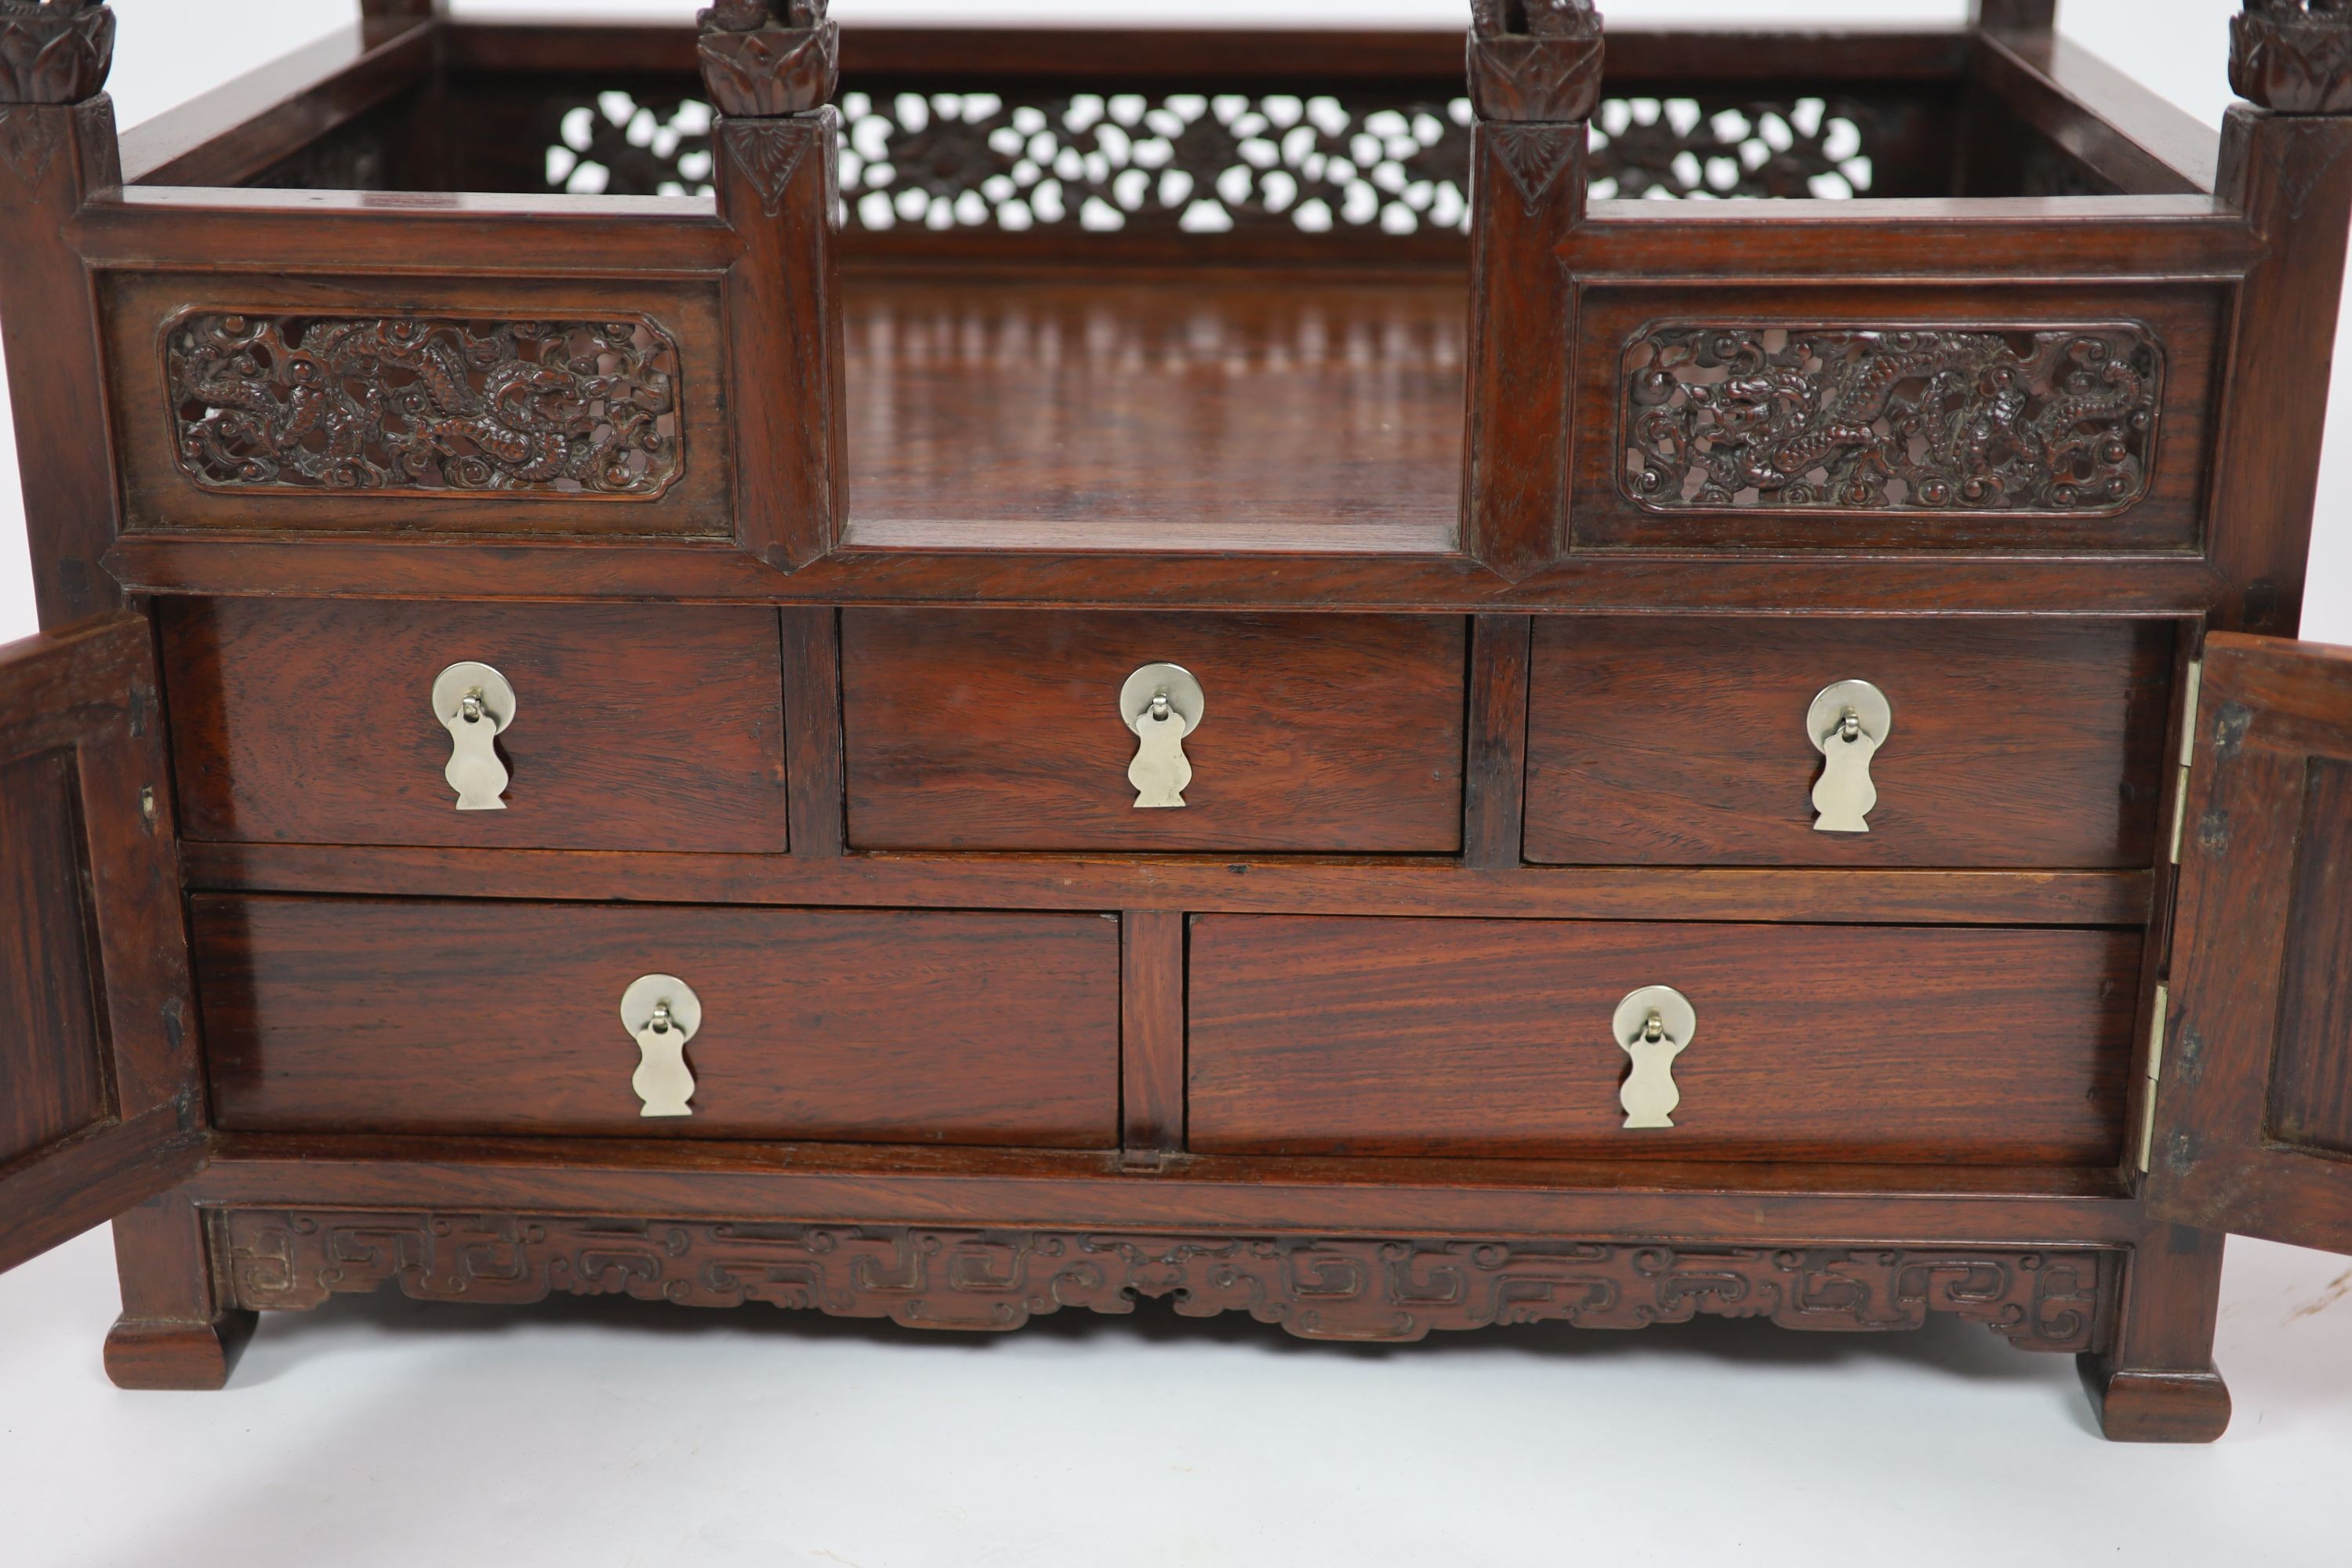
pixel 2287 166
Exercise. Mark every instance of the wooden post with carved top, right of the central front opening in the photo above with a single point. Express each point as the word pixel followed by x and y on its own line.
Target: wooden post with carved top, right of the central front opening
pixel 1535 81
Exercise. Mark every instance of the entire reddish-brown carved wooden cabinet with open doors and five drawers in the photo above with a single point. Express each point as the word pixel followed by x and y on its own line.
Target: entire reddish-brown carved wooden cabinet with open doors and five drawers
pixel 968 674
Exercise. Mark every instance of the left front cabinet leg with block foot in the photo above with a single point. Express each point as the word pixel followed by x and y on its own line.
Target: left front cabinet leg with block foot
pixel 173 1332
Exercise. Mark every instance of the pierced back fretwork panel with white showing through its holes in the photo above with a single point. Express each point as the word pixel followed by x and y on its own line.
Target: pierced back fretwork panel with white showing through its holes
pixel 1212 163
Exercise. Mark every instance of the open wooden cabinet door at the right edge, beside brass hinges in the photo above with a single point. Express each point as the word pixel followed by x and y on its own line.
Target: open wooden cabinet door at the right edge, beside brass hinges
pixel 2254 1083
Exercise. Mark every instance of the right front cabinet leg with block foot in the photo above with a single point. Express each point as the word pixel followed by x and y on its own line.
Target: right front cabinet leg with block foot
pixel 2158 1386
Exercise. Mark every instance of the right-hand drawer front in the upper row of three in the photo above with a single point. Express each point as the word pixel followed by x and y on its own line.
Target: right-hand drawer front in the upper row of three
pixel 1688 742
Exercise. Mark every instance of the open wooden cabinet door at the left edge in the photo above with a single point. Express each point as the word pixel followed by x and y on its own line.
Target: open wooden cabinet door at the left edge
pixel 100 1099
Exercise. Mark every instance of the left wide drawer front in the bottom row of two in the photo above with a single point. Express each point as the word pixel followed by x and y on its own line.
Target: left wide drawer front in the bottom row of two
pixel 403 1017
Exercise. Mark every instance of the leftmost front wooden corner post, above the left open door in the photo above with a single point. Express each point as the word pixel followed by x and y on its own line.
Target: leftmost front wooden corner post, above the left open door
pixel 58 145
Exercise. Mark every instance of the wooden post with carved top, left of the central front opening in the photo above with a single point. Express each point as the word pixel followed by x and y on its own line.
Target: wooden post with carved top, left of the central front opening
pixel 770 69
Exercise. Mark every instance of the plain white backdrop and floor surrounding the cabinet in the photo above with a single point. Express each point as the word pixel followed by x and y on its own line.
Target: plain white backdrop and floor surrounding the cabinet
pixel 613 1433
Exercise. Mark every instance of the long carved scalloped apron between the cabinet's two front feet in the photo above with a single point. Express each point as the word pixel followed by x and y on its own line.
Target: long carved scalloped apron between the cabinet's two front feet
pixel 1318 1289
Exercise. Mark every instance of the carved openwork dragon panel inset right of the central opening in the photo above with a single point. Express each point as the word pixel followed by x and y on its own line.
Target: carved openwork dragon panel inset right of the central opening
pixel 1890 420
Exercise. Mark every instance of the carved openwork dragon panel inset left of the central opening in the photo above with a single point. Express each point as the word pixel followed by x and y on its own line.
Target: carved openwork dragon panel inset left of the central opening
pixel 385 406
